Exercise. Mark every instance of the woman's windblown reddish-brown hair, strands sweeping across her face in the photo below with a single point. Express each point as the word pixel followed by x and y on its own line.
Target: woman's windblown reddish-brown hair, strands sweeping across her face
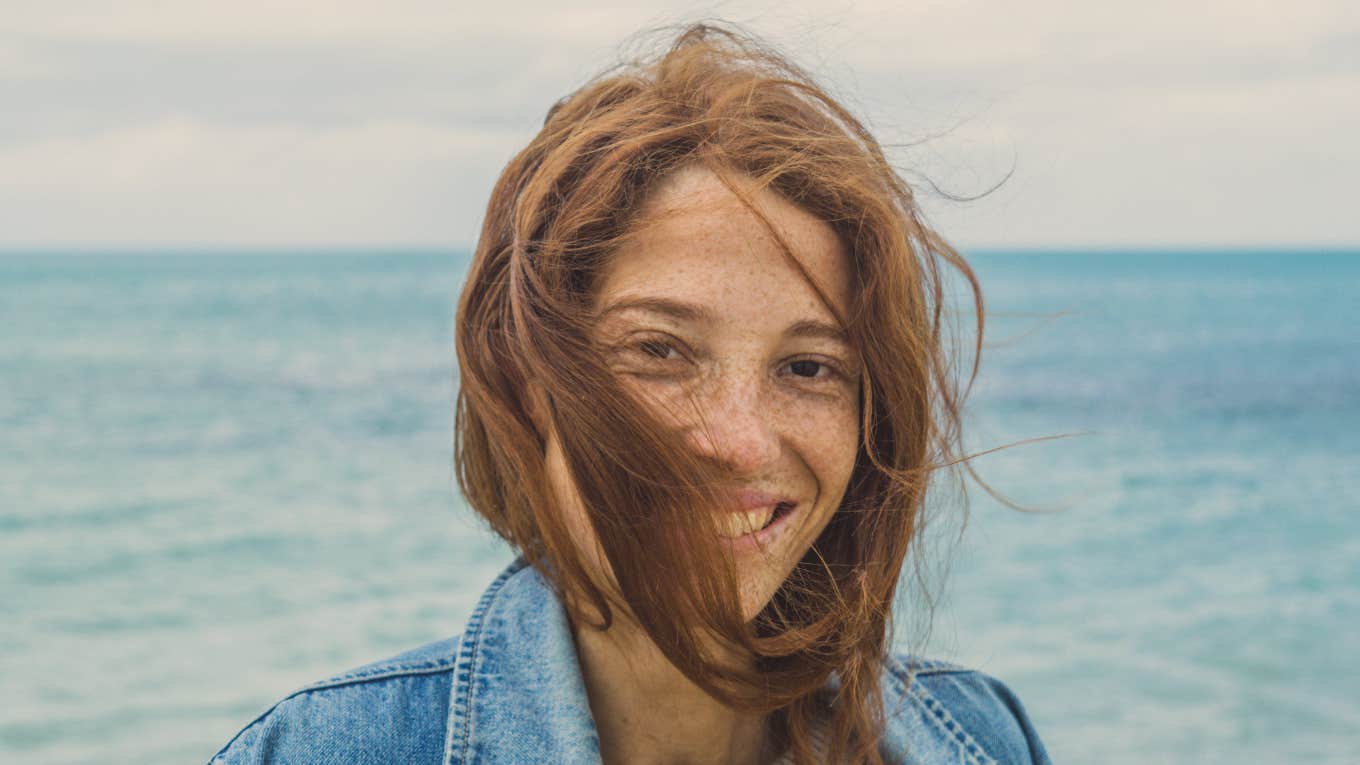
pixel 719 99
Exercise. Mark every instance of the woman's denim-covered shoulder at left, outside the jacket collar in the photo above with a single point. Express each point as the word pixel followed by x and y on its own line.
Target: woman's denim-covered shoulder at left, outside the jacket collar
pixel 388 711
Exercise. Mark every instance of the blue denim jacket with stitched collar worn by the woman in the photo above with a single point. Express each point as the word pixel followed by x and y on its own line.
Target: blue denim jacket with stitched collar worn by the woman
pixel 509 691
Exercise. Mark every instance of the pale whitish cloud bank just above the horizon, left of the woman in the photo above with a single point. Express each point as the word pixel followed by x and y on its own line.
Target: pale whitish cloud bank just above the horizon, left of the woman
pixel 182 182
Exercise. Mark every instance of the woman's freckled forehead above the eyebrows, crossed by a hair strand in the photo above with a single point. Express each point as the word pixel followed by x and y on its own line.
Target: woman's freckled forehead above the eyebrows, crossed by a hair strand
pixel 696 239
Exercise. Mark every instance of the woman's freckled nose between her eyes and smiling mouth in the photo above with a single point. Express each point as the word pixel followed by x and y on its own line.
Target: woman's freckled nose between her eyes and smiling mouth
pixel 736 427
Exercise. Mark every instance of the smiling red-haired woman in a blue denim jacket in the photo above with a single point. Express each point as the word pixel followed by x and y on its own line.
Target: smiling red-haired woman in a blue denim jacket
pixel 704 387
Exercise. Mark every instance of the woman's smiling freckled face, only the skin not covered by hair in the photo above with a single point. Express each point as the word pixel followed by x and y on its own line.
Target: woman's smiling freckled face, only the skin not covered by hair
pixel 707 318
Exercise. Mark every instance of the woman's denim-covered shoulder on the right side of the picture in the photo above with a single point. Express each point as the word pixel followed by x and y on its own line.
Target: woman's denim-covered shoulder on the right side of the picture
pixel 962 714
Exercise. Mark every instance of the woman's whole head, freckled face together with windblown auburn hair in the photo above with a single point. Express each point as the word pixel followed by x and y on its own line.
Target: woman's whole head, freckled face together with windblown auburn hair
pixel 702 303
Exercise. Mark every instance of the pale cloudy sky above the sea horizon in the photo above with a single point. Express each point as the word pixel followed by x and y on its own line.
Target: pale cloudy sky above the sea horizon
pixel 301 125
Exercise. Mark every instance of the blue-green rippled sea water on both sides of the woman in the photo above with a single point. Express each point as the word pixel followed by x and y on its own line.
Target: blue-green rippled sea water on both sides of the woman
pixel 224 476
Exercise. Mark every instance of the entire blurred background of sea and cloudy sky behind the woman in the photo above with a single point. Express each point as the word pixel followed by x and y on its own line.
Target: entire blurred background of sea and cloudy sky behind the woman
pixel 232 238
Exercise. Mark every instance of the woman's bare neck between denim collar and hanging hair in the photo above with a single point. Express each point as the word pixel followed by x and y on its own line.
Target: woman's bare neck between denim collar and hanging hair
pixel 648 713
